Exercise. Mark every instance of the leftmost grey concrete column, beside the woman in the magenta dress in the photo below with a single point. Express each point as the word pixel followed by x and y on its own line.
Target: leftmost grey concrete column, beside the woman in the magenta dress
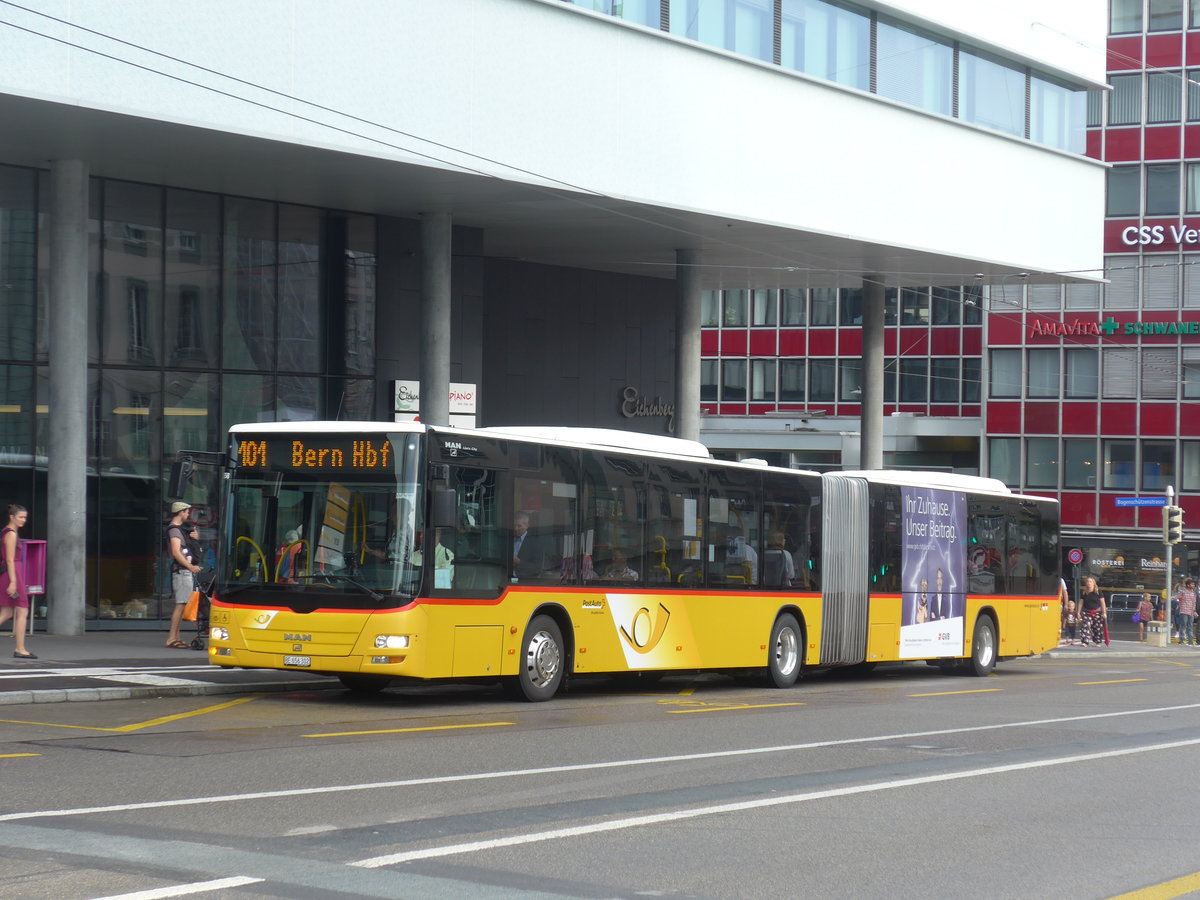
pixel 68 425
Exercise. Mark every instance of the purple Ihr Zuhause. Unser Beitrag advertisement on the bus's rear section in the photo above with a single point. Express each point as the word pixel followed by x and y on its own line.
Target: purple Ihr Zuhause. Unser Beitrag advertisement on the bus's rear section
pixel 933 573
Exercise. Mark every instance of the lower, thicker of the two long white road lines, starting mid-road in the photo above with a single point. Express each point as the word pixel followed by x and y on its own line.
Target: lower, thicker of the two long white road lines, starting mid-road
pixel 743 806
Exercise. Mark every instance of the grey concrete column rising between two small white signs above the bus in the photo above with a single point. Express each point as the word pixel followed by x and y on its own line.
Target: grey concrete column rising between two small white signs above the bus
pixel 436 260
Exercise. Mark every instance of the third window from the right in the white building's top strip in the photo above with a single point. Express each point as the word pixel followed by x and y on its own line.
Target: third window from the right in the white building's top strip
pixel 914 68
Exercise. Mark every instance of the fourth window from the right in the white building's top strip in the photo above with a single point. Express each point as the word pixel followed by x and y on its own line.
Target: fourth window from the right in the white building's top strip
pixel 829 41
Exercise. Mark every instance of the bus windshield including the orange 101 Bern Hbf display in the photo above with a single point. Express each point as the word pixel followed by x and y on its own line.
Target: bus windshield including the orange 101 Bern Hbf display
pixel 332 525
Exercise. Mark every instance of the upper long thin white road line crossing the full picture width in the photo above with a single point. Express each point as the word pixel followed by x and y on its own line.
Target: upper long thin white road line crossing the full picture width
pixel 577 767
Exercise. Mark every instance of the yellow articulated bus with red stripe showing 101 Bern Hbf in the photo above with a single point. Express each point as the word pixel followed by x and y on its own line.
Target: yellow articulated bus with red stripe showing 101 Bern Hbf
pixel 380 553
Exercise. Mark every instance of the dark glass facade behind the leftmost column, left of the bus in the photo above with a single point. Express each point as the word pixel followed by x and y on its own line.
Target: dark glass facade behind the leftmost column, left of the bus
pixel 206 311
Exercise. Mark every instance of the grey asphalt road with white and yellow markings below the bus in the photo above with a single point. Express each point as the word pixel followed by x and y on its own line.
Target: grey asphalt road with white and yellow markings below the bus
pixel 1052 778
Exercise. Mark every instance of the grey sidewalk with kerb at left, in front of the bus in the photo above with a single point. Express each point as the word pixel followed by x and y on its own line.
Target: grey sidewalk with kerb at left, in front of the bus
pixel 123 665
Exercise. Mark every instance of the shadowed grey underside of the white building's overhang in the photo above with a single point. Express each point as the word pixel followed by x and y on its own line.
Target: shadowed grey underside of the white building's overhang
pixel 520 221
